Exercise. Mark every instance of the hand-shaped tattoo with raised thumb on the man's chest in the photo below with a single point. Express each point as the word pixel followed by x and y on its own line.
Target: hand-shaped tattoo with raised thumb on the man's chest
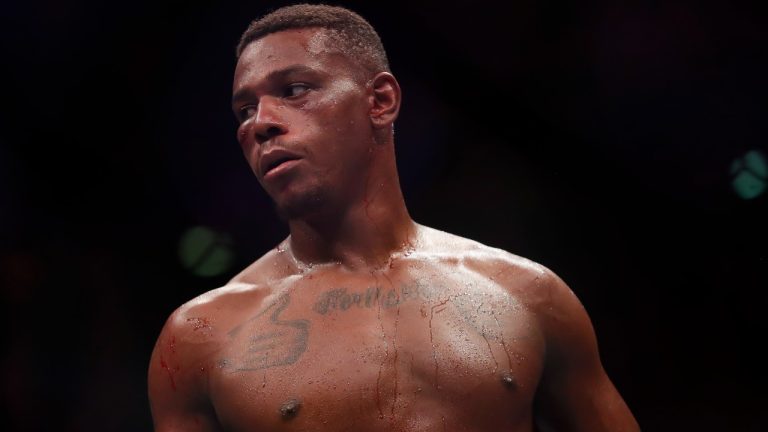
pixel 274 342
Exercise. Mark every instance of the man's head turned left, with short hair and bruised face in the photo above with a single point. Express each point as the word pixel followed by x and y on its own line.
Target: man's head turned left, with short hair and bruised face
pixel 316 105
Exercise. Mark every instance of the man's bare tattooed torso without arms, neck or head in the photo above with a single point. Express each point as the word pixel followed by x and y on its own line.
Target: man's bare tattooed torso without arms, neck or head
pixel 430 342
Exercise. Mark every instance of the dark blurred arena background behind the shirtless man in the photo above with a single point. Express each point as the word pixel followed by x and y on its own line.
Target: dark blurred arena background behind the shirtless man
pixel 621 144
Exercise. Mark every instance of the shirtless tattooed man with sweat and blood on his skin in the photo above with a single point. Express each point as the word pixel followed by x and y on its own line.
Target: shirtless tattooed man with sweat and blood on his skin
pixel 363 320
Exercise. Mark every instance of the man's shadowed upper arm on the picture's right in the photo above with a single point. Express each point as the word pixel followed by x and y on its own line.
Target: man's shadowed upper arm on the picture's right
pixel 574 394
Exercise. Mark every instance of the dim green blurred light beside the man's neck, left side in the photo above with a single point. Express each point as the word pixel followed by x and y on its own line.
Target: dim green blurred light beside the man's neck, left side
pixel 205 252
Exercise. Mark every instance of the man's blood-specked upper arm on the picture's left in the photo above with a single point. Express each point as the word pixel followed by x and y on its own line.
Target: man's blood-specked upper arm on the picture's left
pixel 177 394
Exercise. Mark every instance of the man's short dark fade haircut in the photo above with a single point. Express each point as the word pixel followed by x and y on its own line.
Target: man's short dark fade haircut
pixel 347 31
